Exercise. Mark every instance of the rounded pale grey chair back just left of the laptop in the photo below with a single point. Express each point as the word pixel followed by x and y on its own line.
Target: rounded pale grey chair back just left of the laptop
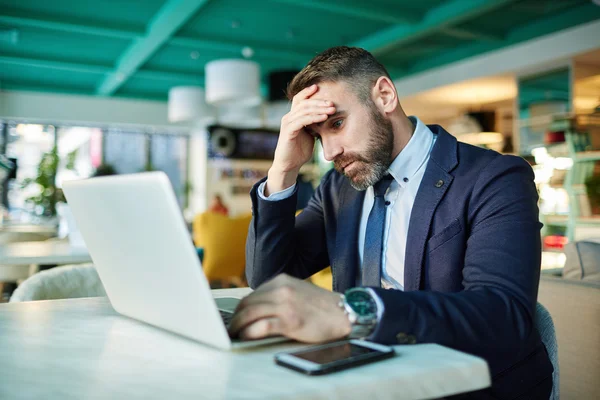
pixel 68 281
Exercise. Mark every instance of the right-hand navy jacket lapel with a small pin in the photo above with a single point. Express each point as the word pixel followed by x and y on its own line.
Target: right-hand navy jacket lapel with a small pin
pixel 434 185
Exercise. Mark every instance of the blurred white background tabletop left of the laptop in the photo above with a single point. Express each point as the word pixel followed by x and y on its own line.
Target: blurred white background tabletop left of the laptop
pixel 50 252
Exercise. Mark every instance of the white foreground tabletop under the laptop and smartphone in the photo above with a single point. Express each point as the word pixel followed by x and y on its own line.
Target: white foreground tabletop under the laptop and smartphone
pixel 82 349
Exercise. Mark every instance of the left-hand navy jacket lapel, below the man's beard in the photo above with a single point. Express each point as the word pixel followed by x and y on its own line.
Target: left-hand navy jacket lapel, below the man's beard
pixel 345 264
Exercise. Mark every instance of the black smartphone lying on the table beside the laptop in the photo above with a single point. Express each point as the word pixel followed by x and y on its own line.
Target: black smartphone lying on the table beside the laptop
pixel 336 356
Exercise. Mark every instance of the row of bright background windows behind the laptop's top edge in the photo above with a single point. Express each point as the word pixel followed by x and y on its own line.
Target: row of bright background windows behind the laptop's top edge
pixel 81 150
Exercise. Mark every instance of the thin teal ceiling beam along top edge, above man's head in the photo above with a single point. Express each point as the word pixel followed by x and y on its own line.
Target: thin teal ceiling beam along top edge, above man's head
pixel 356 12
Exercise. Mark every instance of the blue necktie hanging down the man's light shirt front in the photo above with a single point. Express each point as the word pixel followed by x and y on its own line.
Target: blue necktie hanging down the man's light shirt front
pixel 373 252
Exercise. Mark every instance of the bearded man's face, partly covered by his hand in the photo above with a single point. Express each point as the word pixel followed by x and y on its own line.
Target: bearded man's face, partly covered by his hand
pixel 357 138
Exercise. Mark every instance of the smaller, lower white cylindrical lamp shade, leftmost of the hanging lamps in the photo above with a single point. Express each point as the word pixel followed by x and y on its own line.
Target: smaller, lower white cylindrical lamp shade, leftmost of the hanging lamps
pixel 187 103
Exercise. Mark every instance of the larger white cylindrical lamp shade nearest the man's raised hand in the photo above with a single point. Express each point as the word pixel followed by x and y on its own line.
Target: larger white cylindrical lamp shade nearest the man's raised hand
pixel 232 82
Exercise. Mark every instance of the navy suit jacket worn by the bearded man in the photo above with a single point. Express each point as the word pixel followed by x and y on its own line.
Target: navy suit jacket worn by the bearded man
pixel 472 262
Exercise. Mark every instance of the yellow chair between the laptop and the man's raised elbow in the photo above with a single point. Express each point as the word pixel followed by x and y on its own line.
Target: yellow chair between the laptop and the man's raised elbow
pixel 224 242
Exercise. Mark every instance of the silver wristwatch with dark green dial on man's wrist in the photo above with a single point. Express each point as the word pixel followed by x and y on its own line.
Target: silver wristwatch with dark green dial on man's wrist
pixel 363 311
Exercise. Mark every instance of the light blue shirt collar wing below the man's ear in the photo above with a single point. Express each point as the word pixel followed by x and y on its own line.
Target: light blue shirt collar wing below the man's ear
pixel 414 155
